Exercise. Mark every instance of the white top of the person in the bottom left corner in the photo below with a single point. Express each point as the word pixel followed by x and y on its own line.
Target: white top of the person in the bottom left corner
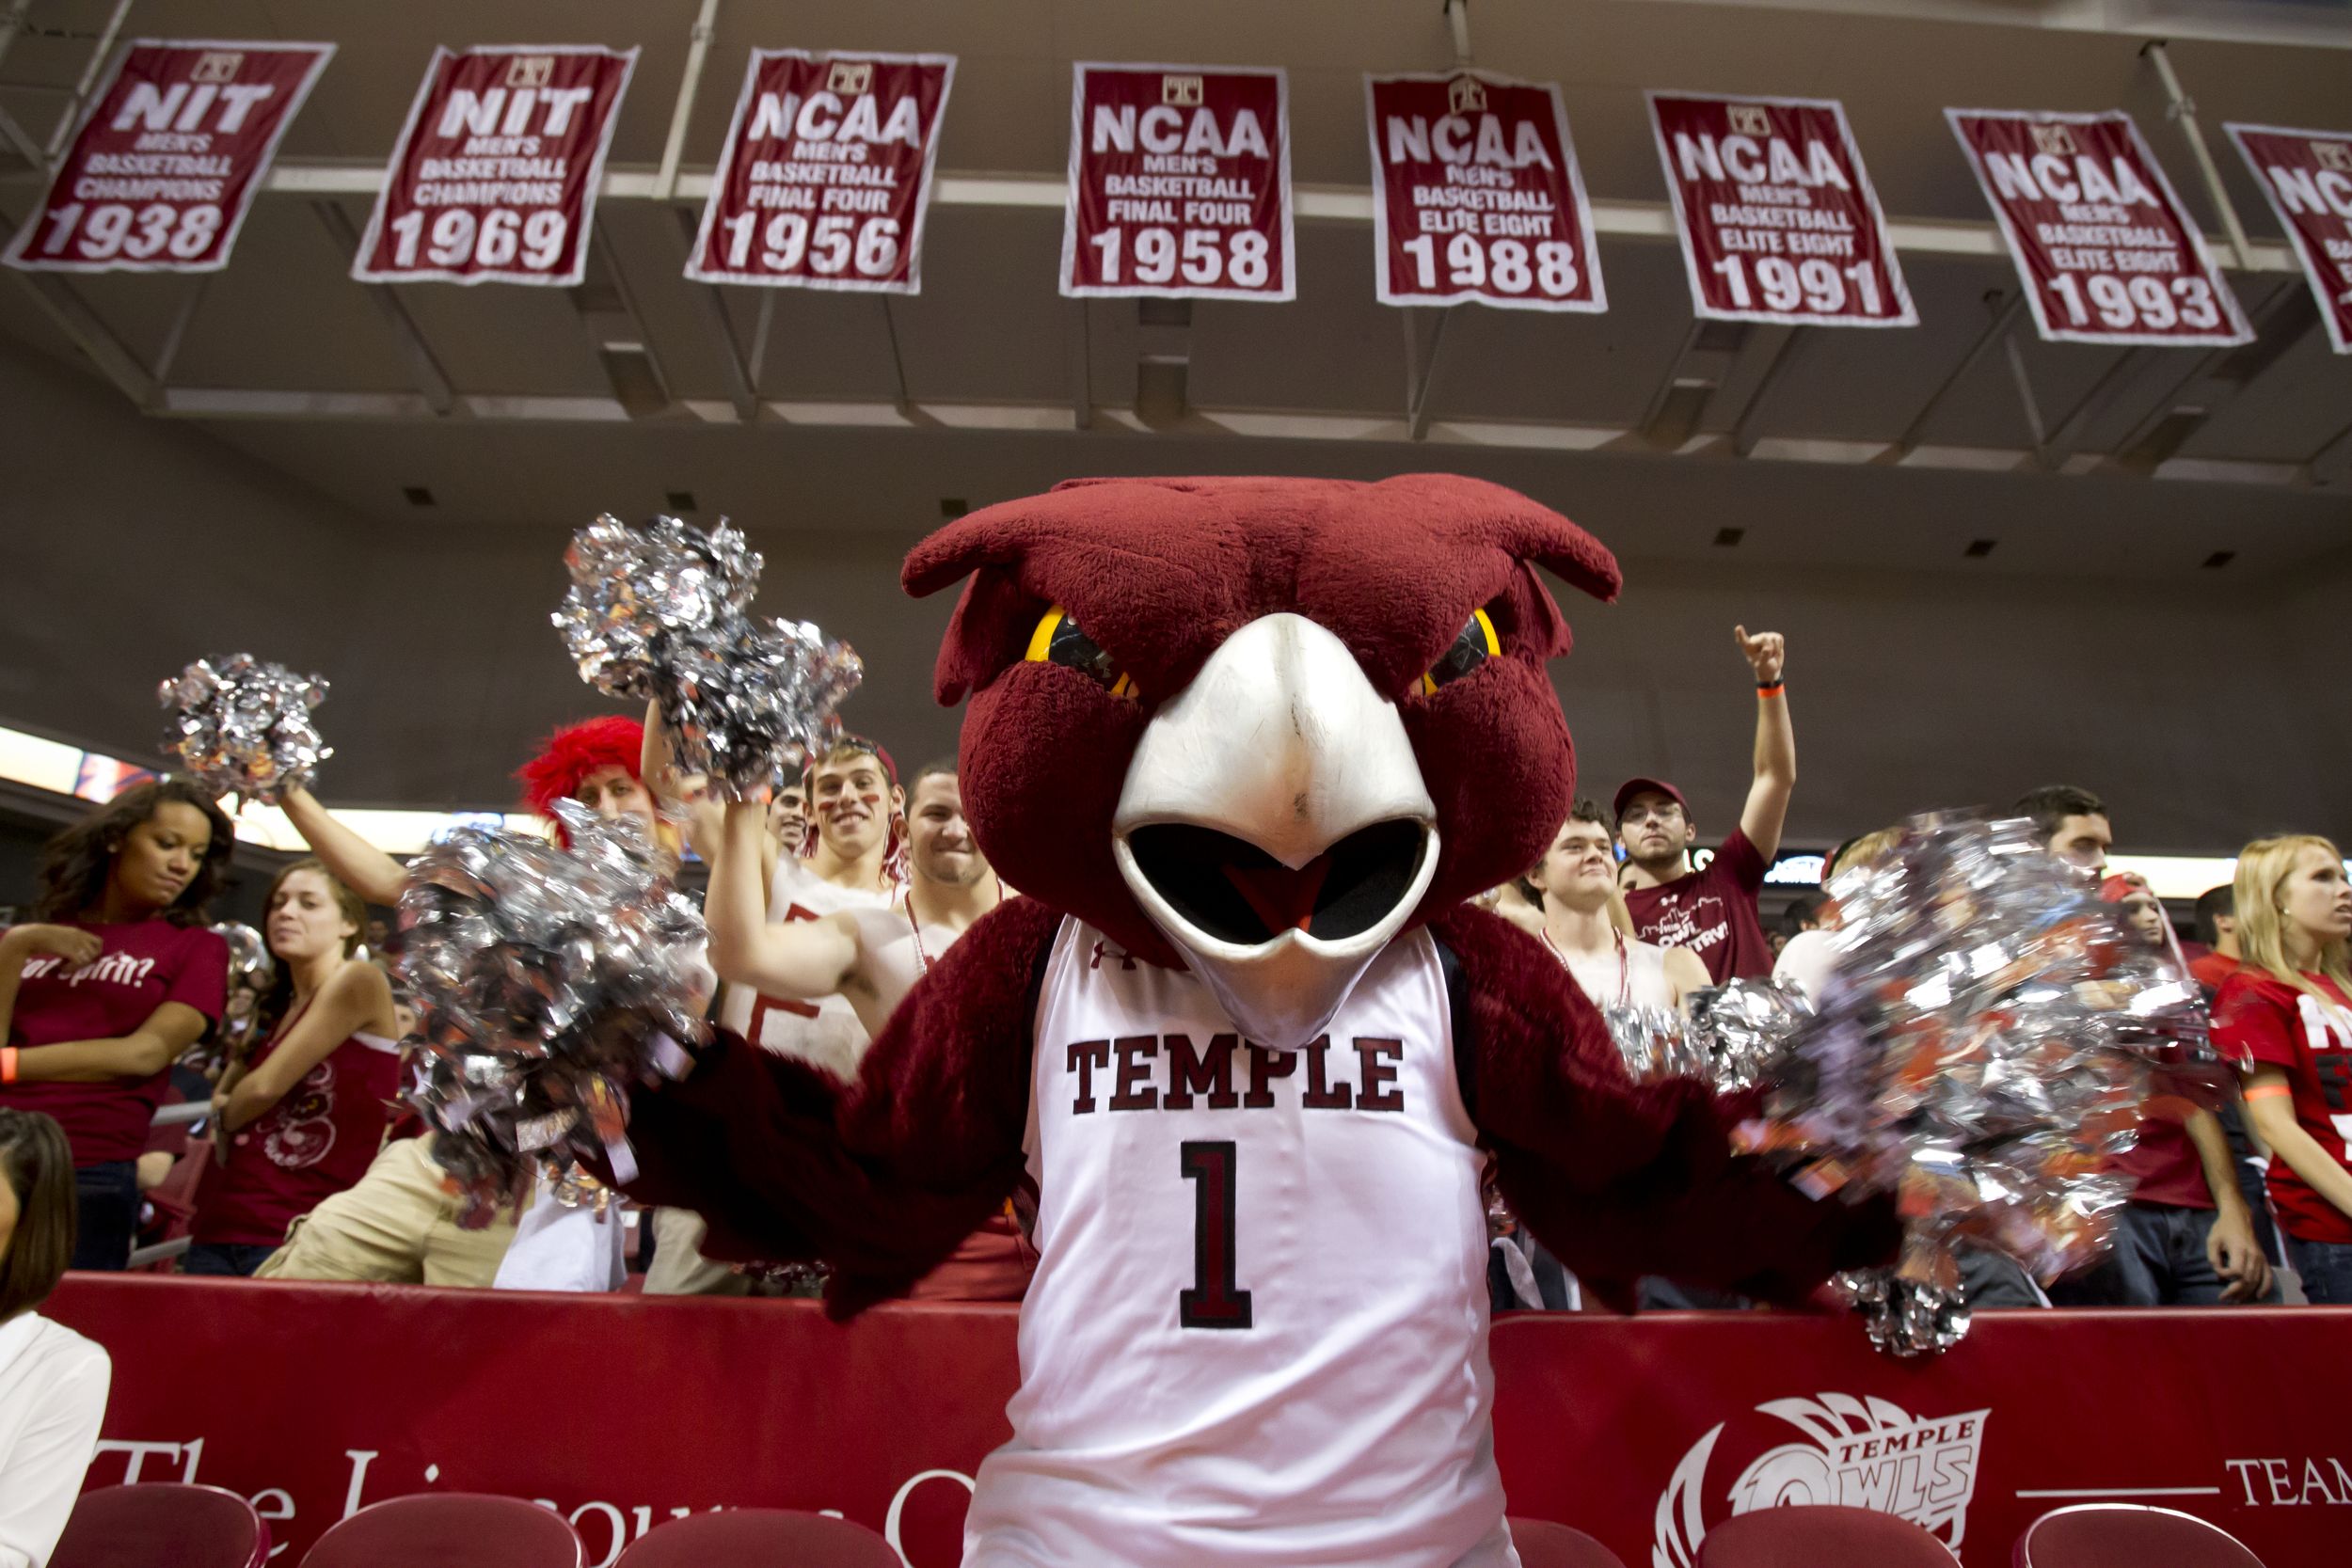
pixel 53 1398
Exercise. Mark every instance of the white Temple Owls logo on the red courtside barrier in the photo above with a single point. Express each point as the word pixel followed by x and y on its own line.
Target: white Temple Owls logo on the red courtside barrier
pixel 1862 1454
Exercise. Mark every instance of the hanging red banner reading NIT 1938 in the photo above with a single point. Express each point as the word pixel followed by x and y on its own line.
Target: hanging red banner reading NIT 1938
pixel 168 156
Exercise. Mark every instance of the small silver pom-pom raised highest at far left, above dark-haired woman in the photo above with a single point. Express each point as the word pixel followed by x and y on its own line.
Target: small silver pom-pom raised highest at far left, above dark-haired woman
pixel 241 725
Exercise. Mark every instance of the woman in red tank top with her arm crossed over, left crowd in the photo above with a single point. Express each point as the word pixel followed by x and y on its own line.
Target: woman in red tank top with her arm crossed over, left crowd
pixel 305 1115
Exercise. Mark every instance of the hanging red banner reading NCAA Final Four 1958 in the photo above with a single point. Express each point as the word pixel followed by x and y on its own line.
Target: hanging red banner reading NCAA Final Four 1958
pixel 1180 185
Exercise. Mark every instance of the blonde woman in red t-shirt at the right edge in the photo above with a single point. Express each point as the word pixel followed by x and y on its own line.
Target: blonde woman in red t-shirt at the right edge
pixel 2287 1017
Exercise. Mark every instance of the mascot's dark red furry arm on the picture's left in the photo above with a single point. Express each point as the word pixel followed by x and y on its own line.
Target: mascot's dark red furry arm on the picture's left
pixel 878 1179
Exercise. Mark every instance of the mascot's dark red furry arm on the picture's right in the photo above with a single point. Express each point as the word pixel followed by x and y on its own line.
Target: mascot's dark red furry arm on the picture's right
pixel 1624 1179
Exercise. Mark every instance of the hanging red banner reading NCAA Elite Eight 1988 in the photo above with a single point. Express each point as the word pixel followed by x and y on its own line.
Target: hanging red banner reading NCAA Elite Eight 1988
pixel 1476 196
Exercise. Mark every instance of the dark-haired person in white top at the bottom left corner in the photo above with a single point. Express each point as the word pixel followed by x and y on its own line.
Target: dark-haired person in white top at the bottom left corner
pixel 53 1381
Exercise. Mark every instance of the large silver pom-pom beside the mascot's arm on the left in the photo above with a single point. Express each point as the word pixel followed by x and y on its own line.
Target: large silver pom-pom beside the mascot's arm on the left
pixel 547 984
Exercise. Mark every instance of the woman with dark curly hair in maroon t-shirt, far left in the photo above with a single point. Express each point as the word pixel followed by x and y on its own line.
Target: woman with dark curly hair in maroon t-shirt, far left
pixel 112 986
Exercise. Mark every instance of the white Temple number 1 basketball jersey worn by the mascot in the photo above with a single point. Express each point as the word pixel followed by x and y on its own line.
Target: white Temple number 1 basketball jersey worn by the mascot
pixel 1259 1322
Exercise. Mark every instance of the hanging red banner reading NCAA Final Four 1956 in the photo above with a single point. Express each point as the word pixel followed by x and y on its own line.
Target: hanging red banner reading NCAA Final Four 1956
pixel 827 173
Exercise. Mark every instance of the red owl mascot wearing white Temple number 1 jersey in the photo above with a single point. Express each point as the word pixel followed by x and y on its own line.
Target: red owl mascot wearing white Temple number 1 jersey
pixel 1248 746
